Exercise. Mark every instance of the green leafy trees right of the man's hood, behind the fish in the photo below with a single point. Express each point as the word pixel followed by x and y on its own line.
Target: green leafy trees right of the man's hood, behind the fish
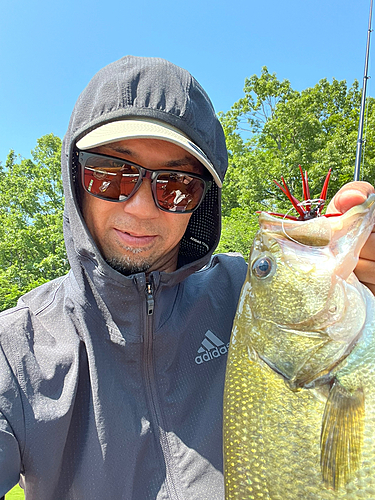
pixel 272 130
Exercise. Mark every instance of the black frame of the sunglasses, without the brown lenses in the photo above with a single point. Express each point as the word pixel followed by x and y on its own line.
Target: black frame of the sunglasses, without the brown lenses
pixel 144 173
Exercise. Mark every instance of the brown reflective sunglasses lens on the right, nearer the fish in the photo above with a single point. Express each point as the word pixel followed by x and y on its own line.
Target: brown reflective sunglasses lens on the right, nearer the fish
pixel 178 192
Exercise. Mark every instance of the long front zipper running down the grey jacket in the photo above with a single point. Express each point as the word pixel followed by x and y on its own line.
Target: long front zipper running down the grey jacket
pixel 152 392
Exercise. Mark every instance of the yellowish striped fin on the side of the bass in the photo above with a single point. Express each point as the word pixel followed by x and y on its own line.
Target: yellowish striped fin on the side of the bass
pixel 342 435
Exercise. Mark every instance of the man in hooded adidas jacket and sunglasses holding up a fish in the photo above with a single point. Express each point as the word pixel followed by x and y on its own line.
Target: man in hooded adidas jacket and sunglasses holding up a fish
pixel 111 378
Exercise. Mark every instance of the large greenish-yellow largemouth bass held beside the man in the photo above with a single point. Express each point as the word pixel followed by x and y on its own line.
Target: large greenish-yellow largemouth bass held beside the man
pixel 299 403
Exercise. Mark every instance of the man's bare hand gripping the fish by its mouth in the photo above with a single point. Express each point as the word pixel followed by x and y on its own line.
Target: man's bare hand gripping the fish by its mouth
pixel 350 195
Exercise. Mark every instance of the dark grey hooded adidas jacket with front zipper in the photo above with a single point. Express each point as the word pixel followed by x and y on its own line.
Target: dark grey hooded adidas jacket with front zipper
pixel 111 387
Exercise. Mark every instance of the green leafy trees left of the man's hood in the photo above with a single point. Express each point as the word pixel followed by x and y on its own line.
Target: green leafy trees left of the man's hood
pixel 31 205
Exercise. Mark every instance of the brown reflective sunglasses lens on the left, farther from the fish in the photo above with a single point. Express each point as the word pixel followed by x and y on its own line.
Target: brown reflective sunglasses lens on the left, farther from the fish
pixel 108 179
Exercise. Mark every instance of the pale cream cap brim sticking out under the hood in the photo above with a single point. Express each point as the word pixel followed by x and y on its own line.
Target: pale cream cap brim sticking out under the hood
pixel 145 129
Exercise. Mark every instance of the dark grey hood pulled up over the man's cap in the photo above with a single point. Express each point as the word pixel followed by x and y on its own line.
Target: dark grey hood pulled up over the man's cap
pixel 135 87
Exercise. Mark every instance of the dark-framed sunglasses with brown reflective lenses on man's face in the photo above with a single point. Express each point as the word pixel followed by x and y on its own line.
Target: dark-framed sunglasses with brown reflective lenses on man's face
pixel 113 179
